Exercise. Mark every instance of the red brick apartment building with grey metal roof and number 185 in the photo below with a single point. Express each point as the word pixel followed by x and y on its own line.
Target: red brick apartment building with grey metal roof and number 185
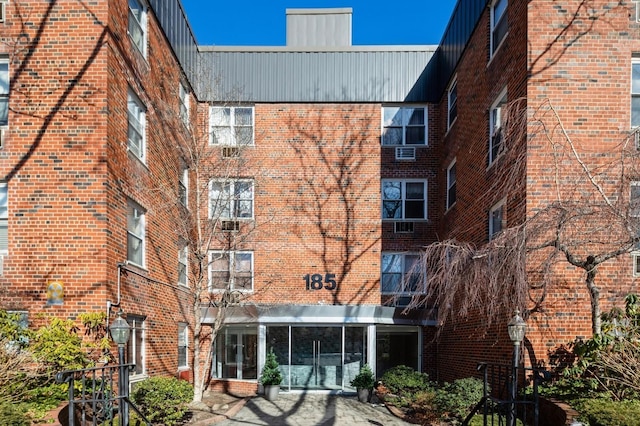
pixel 331 166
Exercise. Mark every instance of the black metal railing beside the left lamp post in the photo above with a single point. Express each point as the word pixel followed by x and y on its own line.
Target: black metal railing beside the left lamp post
pixel 96 395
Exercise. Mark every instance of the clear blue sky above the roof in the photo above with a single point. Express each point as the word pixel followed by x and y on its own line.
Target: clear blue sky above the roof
pixel 262 22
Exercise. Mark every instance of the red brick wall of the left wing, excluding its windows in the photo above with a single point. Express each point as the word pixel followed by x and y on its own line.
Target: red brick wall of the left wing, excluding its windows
pixel 69 173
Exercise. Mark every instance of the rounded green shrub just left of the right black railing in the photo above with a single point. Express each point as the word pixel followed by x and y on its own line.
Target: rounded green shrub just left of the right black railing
pixel 456 399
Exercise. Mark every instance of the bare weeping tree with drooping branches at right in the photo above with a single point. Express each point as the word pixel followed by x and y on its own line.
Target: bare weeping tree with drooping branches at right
pixel 589 217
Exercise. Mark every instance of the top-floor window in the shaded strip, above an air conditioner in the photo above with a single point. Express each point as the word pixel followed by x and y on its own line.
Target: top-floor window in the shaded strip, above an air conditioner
pixel 404 126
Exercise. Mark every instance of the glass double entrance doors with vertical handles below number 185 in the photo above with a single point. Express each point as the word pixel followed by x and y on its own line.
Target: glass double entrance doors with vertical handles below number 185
pixel 316 357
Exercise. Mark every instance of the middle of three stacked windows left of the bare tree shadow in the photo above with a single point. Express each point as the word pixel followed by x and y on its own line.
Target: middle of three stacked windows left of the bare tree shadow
pixel 231 199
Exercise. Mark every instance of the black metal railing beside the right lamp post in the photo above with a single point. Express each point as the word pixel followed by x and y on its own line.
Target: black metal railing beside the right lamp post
pixel 510 396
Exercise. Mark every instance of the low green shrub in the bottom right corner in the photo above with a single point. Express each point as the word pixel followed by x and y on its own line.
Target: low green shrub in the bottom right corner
pixel 605 412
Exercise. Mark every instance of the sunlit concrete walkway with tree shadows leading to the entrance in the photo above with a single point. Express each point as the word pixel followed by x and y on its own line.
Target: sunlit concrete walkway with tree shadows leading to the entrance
pixel 311 409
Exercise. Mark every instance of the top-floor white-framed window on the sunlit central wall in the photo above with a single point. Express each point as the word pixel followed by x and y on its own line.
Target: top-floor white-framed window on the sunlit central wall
pixel 231 125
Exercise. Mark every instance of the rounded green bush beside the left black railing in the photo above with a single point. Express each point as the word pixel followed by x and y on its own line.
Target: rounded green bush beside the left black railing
pixel 163 399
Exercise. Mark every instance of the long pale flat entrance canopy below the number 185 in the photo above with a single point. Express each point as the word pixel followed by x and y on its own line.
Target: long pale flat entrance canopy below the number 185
pixel 321 314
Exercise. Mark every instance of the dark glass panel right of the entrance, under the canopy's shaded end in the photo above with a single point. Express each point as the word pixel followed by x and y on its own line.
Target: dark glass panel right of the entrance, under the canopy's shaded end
pixel 396 346
